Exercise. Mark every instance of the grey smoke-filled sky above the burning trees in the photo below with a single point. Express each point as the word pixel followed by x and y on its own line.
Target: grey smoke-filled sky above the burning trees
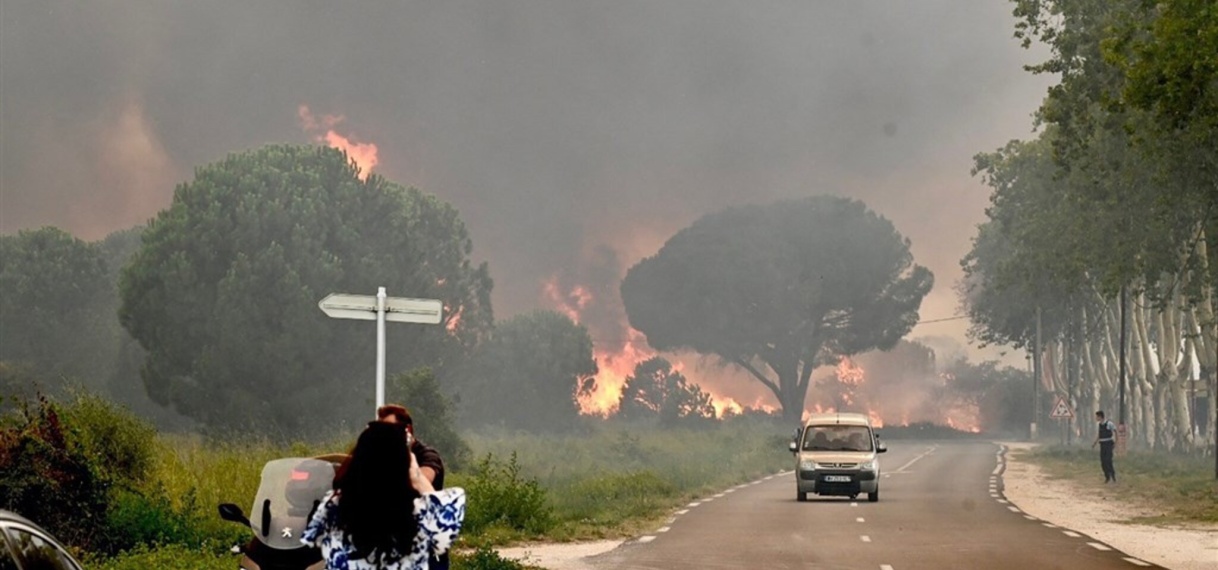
pixel 558 128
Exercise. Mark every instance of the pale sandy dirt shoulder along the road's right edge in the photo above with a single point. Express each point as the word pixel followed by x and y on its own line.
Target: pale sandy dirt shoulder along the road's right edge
pixel 1105 513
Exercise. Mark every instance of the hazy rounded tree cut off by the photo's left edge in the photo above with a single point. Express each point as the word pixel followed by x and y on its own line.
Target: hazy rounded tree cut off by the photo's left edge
pixel 55 311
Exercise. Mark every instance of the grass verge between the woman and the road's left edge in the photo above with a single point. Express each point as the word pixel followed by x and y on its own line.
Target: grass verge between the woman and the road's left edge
pixel 619 479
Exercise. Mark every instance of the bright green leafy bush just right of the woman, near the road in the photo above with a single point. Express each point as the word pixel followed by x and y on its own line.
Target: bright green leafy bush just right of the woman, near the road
pixel 500 498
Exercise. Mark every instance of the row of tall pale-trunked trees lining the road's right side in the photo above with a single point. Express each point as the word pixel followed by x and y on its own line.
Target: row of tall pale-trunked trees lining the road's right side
pixel 1116 199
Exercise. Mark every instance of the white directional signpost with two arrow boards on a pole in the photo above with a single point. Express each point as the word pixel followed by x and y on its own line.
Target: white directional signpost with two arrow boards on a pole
pixel 382 309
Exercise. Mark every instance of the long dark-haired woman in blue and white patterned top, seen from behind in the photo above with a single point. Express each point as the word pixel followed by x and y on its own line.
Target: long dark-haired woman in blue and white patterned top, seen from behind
pixel 366 523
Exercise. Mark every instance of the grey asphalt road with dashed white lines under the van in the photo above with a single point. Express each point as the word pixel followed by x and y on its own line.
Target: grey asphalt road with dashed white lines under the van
pixel 941 507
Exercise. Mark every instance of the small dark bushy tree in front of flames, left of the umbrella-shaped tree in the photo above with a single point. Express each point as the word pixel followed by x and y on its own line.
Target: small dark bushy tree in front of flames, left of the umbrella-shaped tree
pixel 657 392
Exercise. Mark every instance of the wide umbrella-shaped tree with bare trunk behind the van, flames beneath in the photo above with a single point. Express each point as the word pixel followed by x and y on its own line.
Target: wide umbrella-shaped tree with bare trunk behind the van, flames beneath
pixel 780 290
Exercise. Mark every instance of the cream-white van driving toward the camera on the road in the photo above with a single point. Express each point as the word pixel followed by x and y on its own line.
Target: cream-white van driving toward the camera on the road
pixel 837 455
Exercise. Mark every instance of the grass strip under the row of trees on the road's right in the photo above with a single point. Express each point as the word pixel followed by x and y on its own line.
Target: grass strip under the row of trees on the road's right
pixel 1182 489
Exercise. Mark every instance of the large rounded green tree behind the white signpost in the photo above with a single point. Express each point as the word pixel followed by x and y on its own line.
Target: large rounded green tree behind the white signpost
pixel 224 293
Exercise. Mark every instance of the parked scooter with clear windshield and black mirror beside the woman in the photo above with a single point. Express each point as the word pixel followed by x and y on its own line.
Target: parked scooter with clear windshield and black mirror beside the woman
pixel 290 493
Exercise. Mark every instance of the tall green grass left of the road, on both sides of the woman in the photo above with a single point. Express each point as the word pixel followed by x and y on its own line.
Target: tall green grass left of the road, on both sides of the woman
pixel 610 483
